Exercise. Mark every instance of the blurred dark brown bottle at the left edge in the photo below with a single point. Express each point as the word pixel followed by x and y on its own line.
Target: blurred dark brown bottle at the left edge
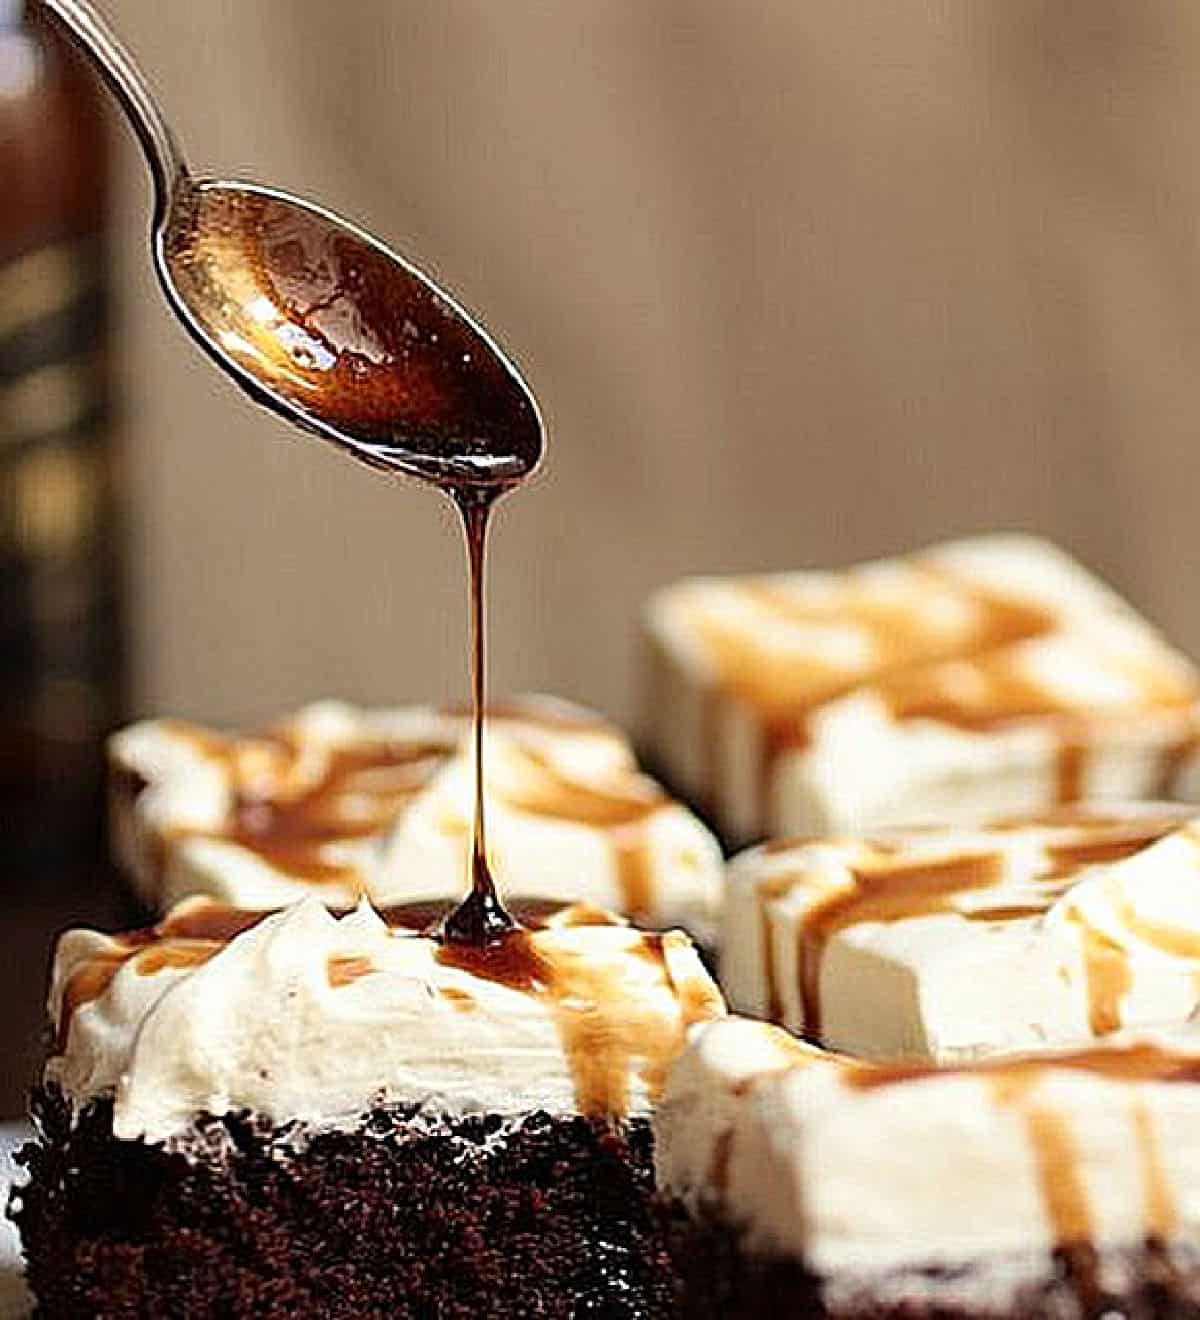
pixel 60 567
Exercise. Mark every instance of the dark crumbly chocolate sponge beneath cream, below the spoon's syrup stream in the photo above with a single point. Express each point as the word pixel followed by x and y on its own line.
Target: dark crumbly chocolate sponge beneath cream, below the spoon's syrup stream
pixel 411 1215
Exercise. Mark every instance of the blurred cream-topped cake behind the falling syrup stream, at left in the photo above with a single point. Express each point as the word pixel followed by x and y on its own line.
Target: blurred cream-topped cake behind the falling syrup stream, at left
pixel 347 803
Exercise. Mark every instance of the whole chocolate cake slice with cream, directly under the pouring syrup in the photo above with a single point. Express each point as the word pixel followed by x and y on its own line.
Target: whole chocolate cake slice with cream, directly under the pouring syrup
pixel 317 1115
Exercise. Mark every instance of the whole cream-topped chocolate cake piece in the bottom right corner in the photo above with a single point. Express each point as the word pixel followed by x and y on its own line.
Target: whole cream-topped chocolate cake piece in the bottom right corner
pixel 807 1185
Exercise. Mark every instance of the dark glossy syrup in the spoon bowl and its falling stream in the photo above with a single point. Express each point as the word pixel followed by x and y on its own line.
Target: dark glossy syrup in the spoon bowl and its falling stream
pixel 381 364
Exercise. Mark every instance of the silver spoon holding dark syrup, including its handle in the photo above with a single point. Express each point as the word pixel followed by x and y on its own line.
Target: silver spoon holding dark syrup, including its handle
pixel 317 320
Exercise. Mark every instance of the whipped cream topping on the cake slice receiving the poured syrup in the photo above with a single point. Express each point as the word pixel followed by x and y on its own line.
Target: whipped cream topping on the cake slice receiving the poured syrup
pixel 314 1017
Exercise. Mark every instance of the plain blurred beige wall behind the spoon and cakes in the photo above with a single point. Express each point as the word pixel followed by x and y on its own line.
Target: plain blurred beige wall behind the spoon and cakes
pixel 797 283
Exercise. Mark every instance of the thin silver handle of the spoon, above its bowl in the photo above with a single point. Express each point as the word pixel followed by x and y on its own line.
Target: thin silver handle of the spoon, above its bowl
pixel 129 84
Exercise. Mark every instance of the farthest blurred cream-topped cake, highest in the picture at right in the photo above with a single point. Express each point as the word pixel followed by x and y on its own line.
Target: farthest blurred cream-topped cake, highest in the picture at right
pixel 978 678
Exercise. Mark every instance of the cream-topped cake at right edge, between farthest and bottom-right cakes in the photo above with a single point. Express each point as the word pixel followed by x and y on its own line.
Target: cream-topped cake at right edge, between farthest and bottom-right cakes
pixel 947 944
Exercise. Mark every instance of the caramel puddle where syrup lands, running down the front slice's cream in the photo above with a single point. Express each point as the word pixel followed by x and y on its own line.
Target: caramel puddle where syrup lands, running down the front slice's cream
pixel 607 1029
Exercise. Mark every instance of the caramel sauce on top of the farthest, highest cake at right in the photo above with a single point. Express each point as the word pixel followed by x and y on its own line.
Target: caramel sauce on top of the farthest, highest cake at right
pixel 933 646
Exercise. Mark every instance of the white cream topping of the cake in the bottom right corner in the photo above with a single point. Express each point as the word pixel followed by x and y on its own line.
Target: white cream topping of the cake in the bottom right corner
pixel 864 1170
